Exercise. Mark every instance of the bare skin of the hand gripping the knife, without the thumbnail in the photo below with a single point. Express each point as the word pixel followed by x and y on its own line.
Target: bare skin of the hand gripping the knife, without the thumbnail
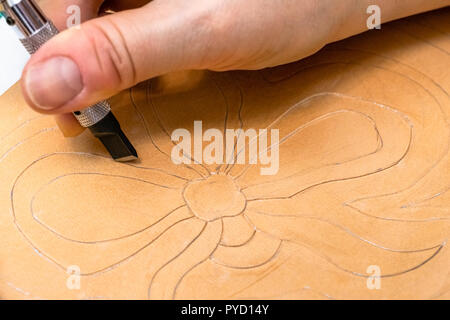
pixel 149 39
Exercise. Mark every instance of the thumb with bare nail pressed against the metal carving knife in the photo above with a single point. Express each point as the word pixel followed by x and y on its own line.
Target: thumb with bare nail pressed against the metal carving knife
pixel 84 65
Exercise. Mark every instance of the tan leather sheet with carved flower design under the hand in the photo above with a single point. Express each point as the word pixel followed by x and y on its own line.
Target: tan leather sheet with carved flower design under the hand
pixel 363 184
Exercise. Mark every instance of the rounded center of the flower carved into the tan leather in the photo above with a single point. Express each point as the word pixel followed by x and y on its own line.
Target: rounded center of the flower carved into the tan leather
pixel 214 197
